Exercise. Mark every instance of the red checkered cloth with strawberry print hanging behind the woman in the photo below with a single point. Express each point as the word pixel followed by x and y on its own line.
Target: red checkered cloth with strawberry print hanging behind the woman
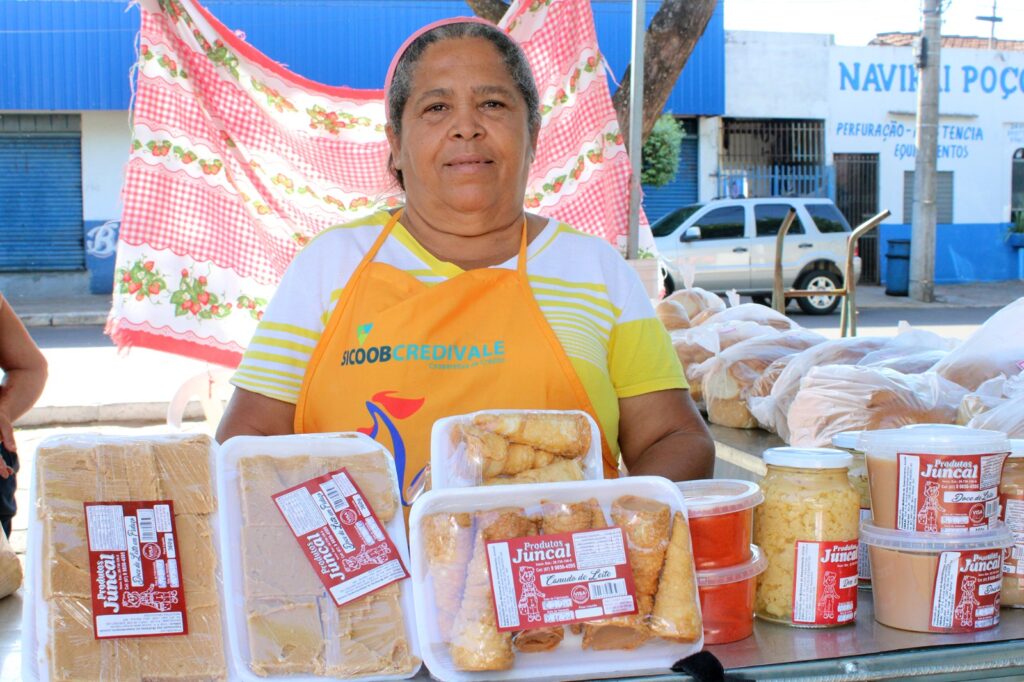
pixel 237 163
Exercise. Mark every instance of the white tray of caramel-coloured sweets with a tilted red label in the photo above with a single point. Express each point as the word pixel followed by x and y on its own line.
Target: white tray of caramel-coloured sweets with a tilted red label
pixel 316 561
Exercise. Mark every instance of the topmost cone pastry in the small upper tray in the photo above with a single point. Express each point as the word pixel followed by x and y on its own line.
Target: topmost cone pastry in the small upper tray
pixel 565 435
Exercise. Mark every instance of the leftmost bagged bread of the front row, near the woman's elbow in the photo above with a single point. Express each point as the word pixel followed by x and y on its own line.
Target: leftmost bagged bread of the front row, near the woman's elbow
pixel 730 376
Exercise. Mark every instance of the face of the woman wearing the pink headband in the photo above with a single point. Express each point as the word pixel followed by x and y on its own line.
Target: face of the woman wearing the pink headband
pixel 465 143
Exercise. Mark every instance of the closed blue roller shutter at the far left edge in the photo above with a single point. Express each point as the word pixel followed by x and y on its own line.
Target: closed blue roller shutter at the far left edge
pixel 41 203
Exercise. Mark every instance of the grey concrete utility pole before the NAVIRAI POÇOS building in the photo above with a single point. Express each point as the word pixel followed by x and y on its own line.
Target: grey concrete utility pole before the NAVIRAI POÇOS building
pixel 923 232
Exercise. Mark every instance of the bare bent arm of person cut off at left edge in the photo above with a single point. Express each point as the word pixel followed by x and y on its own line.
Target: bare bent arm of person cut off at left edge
pixel 25 373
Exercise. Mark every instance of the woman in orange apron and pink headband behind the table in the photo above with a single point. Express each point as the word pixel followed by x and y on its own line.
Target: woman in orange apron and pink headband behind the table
pixel 462 302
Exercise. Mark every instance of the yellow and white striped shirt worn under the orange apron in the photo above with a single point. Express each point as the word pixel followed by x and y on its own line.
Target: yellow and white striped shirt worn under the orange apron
pixel 592 300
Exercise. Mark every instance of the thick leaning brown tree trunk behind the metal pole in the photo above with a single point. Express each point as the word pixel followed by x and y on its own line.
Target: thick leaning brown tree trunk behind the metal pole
pixel 671 38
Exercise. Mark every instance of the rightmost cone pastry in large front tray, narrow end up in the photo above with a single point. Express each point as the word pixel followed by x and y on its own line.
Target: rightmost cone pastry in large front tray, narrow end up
pixel 676 614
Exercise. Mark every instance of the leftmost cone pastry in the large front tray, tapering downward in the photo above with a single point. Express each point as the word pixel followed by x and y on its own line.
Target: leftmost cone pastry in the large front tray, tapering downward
pixel 448 541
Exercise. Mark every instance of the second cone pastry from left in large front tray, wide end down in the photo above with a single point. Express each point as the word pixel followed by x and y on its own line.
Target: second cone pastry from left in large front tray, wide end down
pixel 477 645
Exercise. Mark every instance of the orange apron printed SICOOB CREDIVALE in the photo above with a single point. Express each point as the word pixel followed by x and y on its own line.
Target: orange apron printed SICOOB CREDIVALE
pixel 397 356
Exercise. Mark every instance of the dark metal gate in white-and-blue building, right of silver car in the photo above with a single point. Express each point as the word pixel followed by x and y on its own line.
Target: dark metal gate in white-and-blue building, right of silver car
pixel 858 199
